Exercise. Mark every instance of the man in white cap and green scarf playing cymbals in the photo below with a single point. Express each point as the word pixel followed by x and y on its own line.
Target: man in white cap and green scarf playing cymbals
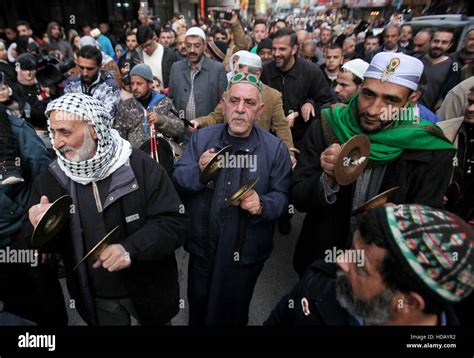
pixel 405 151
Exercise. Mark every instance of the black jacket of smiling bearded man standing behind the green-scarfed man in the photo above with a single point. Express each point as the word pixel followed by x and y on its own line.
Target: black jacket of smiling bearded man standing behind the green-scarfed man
pixel 304 83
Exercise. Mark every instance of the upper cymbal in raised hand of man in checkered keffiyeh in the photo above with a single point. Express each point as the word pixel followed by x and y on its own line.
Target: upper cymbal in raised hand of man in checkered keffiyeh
pixel 52 221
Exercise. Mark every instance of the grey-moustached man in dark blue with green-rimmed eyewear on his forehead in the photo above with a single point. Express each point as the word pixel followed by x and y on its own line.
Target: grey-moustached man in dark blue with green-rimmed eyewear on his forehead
pixel 230 240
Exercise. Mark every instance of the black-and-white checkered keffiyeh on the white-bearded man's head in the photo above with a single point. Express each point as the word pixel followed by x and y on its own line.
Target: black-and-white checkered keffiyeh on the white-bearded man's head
pixel 112 150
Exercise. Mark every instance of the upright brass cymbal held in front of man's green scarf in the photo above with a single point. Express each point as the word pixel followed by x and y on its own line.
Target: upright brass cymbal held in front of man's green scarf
pixel 353 159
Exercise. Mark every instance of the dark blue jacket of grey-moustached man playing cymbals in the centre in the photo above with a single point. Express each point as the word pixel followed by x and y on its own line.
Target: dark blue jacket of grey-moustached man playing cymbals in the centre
pixel 233 229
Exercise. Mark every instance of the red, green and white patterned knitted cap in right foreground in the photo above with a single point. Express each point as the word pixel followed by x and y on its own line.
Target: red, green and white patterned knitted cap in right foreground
pixel 435 245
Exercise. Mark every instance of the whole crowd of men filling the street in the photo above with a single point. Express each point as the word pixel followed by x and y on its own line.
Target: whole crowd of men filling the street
pixel 285 98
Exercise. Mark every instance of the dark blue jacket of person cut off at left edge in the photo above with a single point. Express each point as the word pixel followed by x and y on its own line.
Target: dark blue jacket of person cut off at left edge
pixel 14 198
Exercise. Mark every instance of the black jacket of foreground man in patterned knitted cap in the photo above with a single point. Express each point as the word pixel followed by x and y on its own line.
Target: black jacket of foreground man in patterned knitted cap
pixel 318 287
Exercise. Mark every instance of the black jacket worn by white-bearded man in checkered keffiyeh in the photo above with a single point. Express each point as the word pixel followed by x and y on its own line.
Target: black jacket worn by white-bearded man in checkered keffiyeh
pixel 144 204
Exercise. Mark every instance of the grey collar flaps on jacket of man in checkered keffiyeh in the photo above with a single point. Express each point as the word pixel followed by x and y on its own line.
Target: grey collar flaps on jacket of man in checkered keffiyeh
pixel 123 182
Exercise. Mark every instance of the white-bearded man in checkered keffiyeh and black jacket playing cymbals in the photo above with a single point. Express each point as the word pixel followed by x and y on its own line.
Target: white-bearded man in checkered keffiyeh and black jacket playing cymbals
pixel 111 186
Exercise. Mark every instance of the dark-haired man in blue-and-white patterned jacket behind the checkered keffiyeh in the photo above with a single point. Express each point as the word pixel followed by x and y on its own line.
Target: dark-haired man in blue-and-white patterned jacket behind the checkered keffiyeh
pixel 94 82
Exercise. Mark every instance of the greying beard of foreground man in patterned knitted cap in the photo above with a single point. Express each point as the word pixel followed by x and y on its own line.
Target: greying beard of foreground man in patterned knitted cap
pixel 376 311
